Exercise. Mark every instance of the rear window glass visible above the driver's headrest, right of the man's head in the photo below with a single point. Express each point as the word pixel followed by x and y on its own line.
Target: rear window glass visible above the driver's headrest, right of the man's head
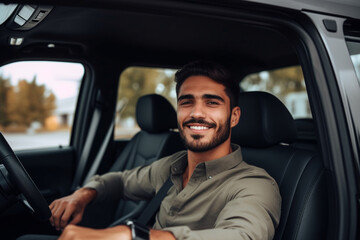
pixel 287 84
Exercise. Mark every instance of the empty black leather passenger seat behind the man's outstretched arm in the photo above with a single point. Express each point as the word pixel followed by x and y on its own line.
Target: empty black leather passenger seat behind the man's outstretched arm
pixel 157 119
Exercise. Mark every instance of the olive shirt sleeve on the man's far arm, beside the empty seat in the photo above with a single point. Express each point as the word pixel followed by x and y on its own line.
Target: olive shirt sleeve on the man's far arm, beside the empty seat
pixel 140 183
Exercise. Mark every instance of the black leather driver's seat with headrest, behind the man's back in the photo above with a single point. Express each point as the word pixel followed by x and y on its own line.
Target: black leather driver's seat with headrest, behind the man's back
pixel 265 131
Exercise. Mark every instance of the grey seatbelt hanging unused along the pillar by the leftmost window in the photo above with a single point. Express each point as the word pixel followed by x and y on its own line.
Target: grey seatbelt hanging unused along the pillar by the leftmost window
pixel 89 141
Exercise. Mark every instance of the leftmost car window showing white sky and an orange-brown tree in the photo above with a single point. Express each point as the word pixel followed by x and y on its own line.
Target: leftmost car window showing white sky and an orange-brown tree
pixel 37 102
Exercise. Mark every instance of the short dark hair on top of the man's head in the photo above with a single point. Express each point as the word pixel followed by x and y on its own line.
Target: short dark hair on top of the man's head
pixel 213 70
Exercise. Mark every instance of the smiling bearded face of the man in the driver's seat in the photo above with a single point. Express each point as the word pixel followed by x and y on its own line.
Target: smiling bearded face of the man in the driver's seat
pixel 204 115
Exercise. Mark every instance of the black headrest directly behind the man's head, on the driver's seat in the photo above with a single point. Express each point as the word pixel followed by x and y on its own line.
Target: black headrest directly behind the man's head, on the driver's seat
pixel 264 121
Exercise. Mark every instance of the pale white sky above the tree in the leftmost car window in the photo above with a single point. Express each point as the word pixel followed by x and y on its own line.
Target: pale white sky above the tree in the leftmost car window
pixel 62 79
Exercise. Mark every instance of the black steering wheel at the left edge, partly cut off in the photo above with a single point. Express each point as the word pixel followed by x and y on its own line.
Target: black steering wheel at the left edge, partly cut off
pixel 16 182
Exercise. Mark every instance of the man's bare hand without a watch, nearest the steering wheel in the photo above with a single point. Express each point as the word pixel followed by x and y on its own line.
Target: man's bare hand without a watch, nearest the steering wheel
pixel 70 207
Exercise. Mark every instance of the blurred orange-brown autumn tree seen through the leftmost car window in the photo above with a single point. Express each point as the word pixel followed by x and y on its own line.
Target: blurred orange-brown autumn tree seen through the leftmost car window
pixel 25 103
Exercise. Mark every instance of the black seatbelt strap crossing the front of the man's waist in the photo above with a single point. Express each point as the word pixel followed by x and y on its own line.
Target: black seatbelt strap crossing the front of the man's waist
pixel 154 204
